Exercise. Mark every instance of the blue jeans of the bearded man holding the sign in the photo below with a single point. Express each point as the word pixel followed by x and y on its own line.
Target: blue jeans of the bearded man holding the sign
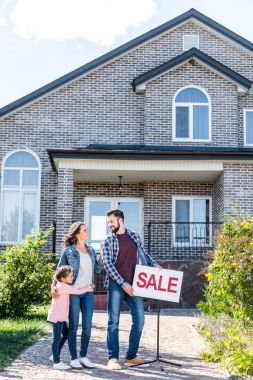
pixel 116 295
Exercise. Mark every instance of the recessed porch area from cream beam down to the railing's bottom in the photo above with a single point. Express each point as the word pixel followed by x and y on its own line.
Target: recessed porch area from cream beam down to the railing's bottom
pixel 173 210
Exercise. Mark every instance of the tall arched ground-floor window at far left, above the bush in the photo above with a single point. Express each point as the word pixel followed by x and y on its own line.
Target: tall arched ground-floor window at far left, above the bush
pixel 20 195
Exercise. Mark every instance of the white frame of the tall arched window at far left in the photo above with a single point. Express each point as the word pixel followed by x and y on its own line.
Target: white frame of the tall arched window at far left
pixel 21 193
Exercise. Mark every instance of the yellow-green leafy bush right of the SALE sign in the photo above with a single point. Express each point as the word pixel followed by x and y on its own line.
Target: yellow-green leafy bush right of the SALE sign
pixel 227 323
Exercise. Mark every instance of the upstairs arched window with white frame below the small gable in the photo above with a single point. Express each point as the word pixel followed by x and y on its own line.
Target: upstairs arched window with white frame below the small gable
pixel 191 115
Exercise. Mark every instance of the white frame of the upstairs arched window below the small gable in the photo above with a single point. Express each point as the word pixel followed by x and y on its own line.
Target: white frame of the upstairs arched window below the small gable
pixel 190 106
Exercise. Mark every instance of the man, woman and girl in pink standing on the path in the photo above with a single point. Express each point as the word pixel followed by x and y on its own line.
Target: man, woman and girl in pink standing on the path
pixel 73 290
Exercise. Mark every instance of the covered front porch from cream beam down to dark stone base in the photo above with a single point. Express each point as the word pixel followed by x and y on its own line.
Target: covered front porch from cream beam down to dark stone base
pixel 175 205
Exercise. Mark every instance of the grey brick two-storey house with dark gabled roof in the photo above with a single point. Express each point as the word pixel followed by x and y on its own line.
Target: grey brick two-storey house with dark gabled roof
pixel 161 127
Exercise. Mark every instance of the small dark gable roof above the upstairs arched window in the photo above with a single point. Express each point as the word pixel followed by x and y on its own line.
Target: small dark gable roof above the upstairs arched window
pixel 196 55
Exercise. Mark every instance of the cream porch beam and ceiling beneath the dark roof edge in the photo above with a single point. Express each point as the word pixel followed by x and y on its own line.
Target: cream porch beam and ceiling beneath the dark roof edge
pixel 98 170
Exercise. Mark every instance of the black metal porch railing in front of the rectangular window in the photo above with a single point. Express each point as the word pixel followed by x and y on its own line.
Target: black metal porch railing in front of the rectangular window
pixel 170 240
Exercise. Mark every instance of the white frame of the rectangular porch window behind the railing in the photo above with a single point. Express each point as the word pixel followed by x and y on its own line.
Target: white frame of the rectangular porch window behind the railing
pixel 190 198
